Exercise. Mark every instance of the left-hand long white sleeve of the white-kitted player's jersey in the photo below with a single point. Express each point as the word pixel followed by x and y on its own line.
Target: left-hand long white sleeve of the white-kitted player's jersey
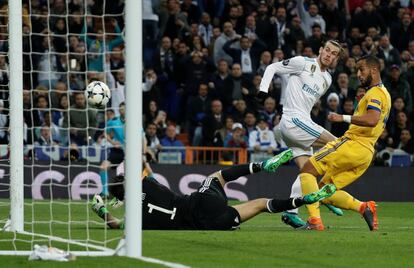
pixel 289 66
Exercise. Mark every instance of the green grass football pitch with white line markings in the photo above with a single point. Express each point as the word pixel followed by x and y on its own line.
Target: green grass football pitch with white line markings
pixel 261 242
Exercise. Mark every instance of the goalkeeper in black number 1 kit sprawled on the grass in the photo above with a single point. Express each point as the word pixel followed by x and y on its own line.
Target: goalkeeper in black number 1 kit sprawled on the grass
pixel 205 209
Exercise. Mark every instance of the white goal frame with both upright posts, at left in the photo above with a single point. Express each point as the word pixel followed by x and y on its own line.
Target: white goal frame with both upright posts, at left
pixel 133 130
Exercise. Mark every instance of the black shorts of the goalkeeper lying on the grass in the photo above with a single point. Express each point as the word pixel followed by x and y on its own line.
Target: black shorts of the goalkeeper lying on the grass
pixel 212 211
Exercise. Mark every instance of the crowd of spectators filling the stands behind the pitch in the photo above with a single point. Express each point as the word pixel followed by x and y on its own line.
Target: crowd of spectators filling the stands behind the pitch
pixel 203 63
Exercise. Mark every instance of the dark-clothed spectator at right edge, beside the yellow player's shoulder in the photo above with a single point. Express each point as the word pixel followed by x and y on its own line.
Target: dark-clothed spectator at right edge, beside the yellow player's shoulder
pixel 398 86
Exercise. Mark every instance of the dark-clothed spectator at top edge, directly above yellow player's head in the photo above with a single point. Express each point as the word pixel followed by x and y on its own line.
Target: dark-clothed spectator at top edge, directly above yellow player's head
pixel 368 17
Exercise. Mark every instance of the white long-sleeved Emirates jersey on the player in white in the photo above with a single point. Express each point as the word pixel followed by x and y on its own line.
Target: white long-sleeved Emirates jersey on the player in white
pixel 306 83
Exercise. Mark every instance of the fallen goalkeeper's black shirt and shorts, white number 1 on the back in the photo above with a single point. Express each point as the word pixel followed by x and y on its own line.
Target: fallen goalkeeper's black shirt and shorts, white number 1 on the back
pixel 205 209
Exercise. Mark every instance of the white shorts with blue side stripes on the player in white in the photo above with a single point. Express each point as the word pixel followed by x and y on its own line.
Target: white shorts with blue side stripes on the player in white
pixel 299 133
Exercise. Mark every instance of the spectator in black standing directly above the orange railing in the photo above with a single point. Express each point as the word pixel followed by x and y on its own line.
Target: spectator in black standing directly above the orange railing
pixel 212 122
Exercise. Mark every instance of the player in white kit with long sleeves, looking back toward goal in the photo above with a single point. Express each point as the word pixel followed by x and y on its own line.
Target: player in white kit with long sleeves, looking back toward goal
pixel 308 80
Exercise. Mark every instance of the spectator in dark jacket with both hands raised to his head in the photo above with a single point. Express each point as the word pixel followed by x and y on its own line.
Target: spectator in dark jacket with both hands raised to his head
pixel 248 54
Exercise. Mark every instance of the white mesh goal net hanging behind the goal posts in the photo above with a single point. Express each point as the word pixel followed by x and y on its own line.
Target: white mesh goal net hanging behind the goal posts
pixel 67 143
